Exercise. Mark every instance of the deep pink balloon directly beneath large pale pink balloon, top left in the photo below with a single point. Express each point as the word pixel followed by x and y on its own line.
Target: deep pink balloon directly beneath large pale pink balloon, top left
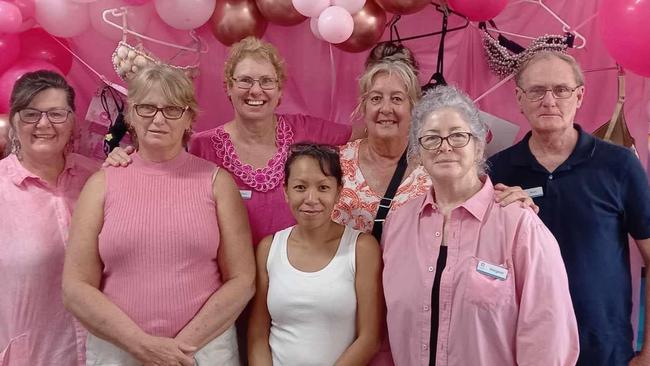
pixel 37 44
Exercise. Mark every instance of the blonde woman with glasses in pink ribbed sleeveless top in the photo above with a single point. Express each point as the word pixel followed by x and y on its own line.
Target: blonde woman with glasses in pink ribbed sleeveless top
pixel 160 260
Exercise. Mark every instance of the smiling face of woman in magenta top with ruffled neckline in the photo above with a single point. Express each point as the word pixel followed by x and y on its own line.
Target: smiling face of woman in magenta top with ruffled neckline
pixel 254 103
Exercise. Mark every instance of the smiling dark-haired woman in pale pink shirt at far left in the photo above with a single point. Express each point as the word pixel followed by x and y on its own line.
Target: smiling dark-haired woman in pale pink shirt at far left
pixel 39 184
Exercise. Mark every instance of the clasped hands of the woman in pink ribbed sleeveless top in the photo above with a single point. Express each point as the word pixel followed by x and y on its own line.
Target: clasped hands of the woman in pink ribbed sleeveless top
pixel 161 351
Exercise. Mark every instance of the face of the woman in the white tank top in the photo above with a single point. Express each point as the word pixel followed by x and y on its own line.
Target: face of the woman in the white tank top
pixel 310 193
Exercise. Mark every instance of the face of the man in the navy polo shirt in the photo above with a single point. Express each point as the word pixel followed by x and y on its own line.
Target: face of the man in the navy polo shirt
pixel 549 115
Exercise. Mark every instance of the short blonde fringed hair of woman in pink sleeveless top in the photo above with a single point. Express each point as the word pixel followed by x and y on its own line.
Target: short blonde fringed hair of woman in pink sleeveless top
pixel 176 87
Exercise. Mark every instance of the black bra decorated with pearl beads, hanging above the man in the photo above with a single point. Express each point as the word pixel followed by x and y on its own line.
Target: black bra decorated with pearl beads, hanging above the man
pixel 505 56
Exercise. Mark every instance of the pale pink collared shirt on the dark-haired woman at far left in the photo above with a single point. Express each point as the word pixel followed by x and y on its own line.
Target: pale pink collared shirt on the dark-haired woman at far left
pixel 35 329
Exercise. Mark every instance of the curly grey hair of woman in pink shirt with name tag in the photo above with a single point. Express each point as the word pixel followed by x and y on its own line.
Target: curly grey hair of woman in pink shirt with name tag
pixel 447 97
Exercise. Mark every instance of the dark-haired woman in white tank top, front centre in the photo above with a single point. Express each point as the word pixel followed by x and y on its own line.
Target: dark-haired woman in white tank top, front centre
pixel 312 277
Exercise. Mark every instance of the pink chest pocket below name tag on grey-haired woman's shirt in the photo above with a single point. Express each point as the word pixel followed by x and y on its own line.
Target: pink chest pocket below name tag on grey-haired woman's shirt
pixel 488 292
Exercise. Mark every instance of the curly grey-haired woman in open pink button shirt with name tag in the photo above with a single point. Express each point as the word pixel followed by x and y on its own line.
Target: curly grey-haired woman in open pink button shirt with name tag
pixel 467 281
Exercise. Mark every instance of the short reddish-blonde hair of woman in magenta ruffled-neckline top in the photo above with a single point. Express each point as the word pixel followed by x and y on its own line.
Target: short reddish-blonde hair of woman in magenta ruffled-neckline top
pixel 255 48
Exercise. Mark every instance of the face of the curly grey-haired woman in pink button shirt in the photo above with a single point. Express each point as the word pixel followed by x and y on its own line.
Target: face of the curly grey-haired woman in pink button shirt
pixel 446 163
